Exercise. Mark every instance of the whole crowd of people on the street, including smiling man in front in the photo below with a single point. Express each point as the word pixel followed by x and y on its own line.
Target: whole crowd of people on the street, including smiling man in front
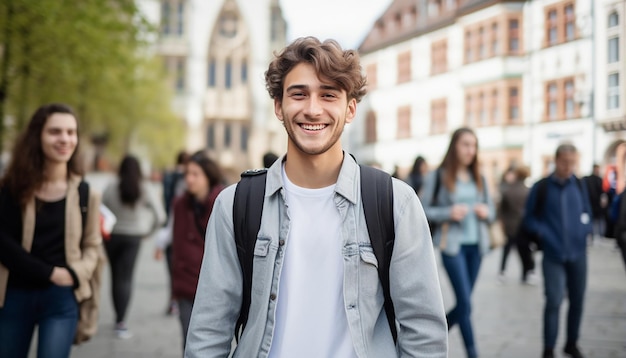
pixel 318 284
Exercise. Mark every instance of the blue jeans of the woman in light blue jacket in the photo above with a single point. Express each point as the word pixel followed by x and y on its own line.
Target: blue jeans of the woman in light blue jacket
pixel 463 269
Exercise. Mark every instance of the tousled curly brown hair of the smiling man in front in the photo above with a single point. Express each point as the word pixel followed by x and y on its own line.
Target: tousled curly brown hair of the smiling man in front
pixel 331 62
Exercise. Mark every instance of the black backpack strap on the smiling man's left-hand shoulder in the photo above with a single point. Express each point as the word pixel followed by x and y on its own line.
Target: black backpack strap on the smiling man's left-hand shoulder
pixel 247 212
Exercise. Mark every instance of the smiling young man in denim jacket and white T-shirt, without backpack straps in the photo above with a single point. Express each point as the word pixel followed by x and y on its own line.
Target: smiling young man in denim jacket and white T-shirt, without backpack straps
pixel 315 286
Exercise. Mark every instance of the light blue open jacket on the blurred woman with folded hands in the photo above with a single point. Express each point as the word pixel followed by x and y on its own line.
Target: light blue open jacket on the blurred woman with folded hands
pixel 440 214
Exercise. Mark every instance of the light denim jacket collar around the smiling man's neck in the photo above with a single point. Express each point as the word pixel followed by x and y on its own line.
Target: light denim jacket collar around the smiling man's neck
pixel 345 185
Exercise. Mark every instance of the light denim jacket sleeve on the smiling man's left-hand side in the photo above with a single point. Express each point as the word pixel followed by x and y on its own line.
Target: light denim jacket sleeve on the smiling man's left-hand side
pixel 218 296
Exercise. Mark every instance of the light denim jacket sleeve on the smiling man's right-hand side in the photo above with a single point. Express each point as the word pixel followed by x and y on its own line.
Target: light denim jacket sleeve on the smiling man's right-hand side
pixel 414 281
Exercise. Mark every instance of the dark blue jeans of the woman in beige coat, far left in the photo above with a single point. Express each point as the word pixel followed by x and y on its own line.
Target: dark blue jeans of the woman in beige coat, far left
pixel 54 309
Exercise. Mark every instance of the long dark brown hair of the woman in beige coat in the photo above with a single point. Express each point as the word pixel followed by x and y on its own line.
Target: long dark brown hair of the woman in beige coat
pixel 25 173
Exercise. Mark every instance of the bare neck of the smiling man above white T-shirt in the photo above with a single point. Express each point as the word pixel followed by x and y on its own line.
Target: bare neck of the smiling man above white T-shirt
pixel 313 171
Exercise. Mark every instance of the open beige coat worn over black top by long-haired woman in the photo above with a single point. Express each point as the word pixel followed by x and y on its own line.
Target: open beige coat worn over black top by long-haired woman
pixel 81 255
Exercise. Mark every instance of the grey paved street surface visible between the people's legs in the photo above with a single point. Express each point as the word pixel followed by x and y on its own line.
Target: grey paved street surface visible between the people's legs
pixel 507 318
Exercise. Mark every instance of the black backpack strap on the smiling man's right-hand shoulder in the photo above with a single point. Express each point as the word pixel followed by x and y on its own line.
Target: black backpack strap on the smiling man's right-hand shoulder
pixel 377 197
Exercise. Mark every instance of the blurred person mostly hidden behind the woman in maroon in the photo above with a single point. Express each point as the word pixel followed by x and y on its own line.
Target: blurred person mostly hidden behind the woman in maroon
pixel 173 186
